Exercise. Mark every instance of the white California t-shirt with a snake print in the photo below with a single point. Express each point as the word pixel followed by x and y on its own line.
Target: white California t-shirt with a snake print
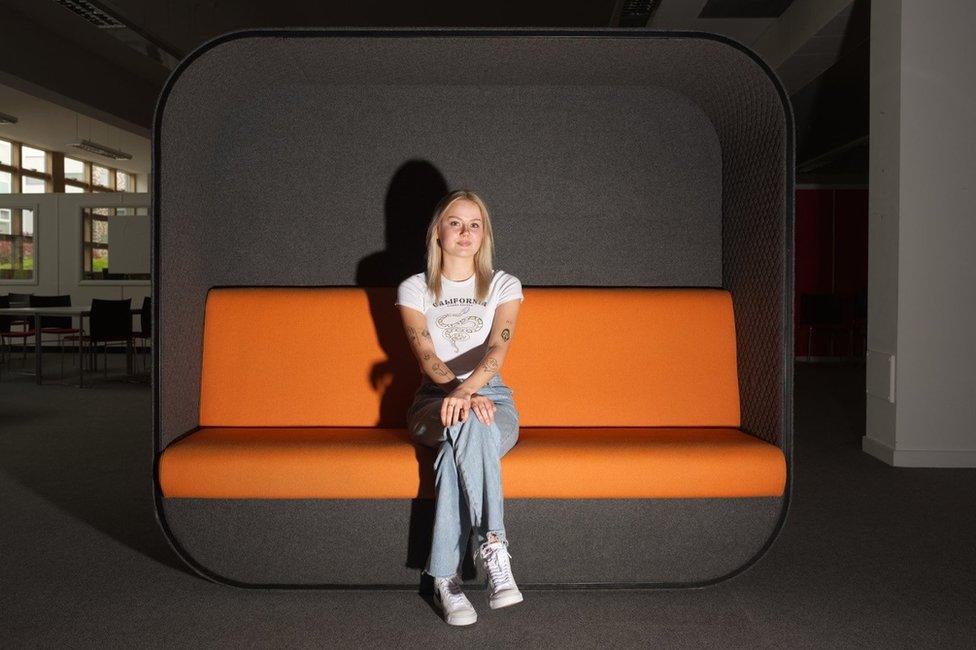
pixel 458 325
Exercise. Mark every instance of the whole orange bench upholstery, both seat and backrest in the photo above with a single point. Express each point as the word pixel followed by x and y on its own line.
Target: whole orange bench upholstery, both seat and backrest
pixel 622 393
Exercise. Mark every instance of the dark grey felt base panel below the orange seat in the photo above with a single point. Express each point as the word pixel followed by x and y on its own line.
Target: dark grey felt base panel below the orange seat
pixel 386 541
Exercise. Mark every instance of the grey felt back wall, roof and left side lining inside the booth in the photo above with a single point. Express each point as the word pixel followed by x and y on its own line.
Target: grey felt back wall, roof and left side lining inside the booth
pixel 593 179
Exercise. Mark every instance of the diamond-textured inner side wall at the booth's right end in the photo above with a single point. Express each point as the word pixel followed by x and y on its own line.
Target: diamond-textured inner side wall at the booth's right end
pixel 757 160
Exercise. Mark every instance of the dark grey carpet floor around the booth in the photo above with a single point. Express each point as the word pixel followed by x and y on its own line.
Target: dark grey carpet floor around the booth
pixel 870 556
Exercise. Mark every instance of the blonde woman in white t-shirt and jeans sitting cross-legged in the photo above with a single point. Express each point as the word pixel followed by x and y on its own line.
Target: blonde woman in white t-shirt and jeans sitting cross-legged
pixel 459 317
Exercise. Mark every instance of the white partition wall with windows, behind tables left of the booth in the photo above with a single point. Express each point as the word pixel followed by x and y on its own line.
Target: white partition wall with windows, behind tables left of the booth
pixel 58 249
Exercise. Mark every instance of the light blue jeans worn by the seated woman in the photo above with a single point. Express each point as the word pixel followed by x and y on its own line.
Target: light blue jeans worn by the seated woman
pixel 467 469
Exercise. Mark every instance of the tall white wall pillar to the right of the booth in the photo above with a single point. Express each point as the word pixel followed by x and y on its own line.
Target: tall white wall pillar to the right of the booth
pixel 922 274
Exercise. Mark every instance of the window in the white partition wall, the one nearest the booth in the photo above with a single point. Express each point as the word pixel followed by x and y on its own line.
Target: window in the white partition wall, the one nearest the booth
pixel 129 257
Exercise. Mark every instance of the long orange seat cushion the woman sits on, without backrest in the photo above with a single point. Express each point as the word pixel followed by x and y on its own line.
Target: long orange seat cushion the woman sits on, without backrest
pixel 554 463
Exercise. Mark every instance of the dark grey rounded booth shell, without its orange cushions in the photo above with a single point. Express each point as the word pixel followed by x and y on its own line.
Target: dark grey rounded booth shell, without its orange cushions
pixel 608 158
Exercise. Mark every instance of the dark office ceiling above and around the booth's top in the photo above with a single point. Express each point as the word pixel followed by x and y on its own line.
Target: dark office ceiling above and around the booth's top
pixel 107 60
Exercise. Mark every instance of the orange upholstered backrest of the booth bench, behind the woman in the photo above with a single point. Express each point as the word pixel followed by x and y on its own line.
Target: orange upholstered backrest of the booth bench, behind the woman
pixel 338 356
